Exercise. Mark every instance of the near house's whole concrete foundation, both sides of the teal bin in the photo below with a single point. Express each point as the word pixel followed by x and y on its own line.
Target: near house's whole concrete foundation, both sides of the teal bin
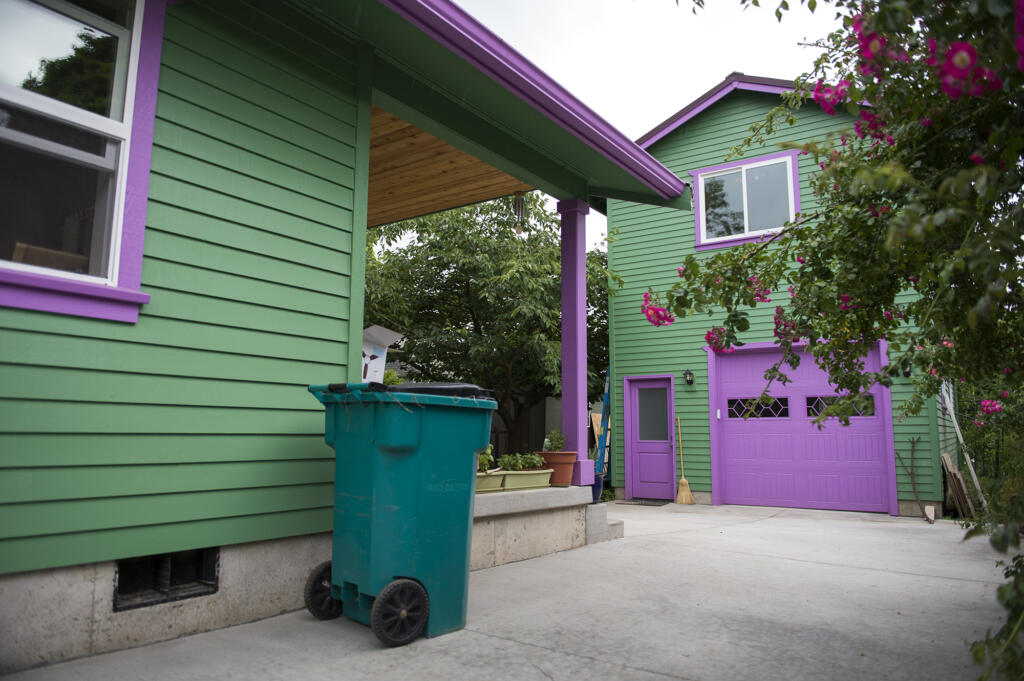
pixel 56 615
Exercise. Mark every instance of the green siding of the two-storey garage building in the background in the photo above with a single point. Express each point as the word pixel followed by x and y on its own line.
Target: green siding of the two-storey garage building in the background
pixel 652 242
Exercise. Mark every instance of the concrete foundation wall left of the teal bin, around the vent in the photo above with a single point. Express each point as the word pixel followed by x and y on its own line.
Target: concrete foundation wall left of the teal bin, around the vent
pixel 55 615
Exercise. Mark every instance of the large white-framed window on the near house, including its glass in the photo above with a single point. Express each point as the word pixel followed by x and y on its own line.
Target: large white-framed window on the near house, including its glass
pixel 67 86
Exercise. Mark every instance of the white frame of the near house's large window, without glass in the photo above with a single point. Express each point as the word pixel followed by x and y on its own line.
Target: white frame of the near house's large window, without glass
pixel 117 129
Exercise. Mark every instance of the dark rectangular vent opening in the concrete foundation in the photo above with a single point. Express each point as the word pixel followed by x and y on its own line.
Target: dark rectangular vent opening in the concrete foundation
pixel 168 577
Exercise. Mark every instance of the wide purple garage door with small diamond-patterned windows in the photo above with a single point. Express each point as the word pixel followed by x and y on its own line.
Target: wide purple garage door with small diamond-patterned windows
pixel 779 458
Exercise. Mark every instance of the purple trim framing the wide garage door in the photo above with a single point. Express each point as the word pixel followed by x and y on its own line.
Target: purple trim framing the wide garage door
pixel 883 400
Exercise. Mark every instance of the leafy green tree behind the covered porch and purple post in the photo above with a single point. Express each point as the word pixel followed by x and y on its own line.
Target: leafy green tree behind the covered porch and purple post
pixel 480 303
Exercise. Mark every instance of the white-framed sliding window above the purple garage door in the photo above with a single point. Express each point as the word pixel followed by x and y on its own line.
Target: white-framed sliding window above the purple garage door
pixel 744 201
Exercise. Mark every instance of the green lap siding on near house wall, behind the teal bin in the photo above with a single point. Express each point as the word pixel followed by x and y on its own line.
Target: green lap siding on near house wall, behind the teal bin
pixel 194 428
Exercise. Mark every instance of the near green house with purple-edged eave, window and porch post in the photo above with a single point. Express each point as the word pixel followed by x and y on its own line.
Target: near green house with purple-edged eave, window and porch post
pixel 185 194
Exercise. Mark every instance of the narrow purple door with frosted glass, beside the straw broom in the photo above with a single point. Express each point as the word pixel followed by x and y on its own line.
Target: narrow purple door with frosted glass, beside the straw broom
pixel 651 464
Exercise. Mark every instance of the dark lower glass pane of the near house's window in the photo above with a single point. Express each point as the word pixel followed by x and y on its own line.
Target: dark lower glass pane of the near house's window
pixel 54 214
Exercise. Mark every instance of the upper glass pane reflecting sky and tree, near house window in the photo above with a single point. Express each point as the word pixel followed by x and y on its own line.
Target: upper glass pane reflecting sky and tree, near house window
pixel 57 56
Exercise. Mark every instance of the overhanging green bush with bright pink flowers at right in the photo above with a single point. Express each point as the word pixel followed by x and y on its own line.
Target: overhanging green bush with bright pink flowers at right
pixel 919 237
